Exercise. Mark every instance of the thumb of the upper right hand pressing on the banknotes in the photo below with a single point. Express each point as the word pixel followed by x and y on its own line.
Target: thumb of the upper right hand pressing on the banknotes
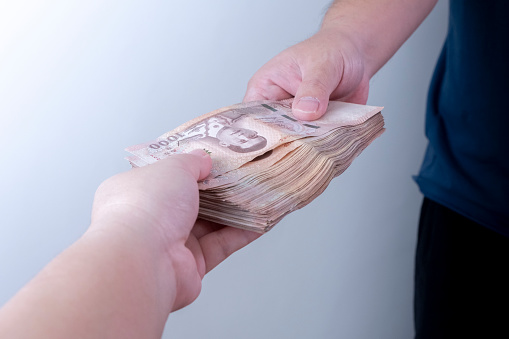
pixel 312 97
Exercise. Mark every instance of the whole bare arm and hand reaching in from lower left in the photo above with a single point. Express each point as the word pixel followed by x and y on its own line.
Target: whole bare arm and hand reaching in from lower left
pixel 143 256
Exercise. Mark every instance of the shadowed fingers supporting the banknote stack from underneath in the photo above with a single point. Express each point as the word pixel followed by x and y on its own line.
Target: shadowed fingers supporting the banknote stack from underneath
pixel 219 245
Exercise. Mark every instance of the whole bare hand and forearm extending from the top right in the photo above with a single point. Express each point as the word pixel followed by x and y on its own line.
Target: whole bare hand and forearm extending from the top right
pixel 356 39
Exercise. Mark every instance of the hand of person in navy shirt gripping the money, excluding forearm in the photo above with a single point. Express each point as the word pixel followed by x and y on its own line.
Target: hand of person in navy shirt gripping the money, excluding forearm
pixel 326 66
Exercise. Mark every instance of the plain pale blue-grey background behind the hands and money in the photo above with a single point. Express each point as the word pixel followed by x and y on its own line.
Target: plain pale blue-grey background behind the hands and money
pixel 82 80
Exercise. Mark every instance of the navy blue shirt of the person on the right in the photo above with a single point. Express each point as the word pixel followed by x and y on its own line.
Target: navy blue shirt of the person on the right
pixel 466 165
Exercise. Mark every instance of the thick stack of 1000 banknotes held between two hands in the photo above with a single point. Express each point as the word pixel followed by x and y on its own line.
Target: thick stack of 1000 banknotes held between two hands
pixel 265 162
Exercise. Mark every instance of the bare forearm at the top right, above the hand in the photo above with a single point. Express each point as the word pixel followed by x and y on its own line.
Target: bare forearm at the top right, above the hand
pixel 377 27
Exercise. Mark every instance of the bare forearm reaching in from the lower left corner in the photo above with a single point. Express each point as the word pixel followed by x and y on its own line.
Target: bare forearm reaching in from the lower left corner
pixel 103 286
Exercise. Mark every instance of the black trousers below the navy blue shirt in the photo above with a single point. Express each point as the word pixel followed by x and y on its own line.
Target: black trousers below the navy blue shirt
pixel 461 277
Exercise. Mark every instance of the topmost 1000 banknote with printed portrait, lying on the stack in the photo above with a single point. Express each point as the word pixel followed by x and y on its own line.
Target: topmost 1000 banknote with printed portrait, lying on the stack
pixel 237 134
